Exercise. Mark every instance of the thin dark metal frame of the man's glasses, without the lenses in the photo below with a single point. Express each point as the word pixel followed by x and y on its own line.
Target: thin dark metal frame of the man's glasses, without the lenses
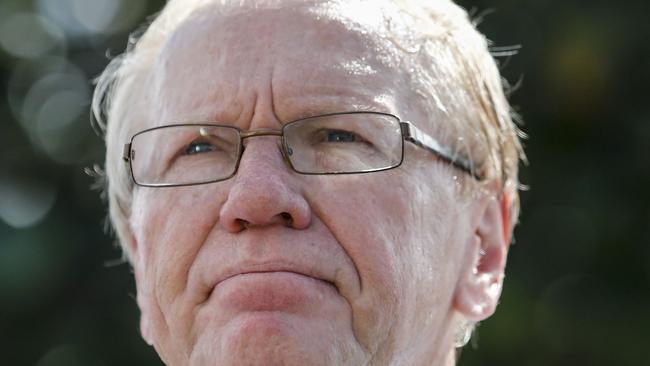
pixel 408 131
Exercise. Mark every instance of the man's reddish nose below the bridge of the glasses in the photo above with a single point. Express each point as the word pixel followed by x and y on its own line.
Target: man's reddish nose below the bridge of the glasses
pixel 263 192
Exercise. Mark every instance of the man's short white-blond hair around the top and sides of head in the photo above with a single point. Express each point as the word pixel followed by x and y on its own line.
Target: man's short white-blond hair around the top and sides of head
pixel 122 90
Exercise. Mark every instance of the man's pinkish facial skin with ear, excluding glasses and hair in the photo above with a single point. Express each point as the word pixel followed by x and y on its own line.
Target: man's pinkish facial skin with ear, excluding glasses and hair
pixel 276 268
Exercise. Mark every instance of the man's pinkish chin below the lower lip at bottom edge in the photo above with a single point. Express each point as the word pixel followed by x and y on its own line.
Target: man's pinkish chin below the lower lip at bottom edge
pixel 275 338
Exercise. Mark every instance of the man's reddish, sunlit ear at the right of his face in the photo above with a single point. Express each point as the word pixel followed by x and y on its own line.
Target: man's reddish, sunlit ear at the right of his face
pixel 479 287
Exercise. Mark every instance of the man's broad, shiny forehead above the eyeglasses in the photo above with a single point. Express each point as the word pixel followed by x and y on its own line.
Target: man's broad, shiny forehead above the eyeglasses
pixel 305 54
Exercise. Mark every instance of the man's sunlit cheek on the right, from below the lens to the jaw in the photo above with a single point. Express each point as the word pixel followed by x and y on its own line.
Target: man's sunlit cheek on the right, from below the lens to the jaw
pixel 397 233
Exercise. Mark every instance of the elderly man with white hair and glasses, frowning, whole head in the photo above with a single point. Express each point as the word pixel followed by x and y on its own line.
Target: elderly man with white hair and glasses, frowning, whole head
pixel 310 182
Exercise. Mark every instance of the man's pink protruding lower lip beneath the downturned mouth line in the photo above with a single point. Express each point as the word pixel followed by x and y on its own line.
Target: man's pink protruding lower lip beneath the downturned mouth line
pixel 271 291
